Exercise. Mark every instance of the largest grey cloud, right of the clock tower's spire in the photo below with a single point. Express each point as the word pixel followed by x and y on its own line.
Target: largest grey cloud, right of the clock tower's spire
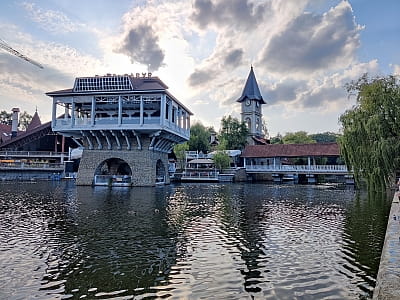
pixel 313 42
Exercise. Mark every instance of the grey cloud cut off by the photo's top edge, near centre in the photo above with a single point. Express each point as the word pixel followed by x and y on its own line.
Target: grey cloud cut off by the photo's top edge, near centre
pixel 243 14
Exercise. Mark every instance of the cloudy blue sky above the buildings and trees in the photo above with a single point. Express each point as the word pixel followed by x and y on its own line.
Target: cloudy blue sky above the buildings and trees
pixel 303 52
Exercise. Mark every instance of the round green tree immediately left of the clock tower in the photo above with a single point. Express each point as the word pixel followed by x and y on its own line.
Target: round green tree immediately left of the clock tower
pixel 233 132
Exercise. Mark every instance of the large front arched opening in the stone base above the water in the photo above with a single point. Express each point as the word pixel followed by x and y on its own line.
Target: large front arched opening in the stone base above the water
pixel 113 172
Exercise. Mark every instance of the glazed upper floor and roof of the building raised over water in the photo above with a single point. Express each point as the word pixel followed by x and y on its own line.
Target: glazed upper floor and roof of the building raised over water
pixel 119 102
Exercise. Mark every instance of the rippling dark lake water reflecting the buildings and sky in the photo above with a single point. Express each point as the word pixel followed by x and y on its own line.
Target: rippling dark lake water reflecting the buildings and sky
pixel 194 241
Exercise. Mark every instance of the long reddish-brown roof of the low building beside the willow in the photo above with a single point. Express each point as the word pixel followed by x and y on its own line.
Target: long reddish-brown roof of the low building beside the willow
pixel 291 150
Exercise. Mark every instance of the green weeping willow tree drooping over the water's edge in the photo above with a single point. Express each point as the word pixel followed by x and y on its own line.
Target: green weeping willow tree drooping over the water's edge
pixel 370 143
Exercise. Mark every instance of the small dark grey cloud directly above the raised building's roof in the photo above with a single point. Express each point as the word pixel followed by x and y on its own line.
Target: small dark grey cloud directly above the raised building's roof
pixel 141 44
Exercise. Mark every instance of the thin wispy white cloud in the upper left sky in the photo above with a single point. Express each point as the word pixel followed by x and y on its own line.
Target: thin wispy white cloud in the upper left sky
pixel 51 20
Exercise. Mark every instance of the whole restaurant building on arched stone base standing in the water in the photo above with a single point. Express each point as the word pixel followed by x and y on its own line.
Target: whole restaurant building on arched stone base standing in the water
pixel 127 124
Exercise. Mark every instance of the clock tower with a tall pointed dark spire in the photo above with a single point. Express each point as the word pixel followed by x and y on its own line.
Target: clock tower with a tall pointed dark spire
pixel 251 101
